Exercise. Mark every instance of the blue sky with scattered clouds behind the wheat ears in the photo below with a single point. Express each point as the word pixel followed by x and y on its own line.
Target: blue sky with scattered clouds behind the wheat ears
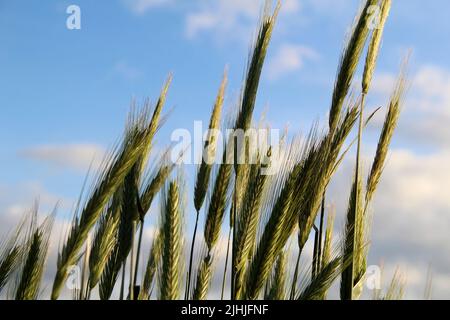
pixel 65 95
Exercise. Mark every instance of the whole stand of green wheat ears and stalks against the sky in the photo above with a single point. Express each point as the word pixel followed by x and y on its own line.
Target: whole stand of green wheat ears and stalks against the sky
pixel 259 214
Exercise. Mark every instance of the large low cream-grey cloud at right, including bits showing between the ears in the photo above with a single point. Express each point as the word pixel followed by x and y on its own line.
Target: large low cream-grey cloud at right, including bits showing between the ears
pixel 411 216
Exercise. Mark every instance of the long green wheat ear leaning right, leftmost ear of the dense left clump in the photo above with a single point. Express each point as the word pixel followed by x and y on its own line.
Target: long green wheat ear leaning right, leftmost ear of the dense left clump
pixel 109 180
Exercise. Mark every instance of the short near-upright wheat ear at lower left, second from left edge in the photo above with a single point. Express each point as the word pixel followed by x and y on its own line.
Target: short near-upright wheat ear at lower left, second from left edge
pixel 35 256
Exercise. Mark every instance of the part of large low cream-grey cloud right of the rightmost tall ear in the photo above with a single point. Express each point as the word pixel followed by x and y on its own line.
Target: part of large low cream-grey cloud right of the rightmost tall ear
pixel 412 214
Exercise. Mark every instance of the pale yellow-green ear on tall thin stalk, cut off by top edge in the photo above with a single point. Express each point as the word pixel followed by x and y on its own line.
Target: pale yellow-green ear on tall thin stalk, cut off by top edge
pixel 374 46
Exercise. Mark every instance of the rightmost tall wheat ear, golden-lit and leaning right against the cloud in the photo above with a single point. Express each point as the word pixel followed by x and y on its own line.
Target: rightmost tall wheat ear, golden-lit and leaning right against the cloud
pixel 390 123
